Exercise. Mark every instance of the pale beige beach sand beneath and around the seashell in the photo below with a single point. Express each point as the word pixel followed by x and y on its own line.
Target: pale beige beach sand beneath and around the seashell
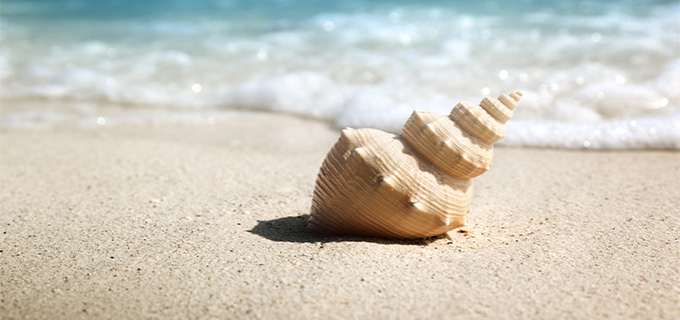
pixel 207 221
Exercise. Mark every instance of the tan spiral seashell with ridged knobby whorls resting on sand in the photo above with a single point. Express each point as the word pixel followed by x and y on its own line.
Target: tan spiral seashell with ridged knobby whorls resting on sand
pixel 413 185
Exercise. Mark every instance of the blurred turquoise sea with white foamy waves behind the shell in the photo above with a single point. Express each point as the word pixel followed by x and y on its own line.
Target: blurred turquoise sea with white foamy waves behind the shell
pixel 595 74
